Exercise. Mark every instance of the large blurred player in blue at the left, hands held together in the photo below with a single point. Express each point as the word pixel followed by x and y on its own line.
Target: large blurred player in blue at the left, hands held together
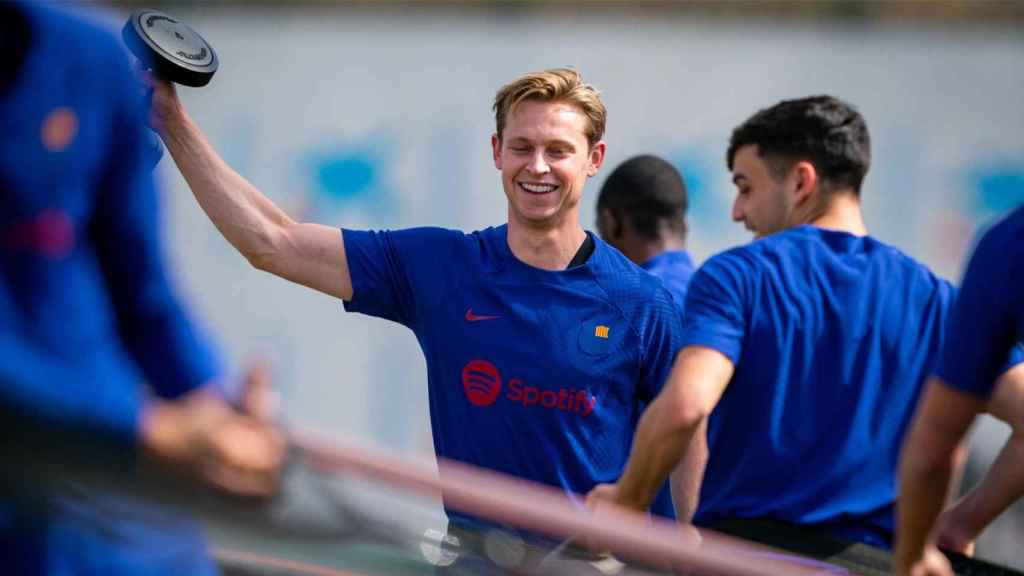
pixel 99 364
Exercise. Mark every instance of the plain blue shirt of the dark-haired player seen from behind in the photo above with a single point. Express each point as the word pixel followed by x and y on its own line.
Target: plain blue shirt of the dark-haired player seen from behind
pixel 832 337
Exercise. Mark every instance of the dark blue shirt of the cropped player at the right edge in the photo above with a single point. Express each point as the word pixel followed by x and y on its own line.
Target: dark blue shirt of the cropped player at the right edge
pixel 989 319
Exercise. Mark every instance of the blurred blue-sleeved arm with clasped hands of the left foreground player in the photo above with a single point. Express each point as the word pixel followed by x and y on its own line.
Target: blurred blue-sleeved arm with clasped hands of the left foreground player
pixel 190 426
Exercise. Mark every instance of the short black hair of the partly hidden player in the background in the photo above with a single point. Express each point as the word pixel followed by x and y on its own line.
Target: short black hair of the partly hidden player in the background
pixel 648 191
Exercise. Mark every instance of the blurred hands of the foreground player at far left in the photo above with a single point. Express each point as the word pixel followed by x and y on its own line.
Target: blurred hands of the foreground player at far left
pixel 239 452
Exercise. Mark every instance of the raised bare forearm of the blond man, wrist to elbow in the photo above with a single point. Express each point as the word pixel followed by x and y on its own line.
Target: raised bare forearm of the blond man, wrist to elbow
pixel 246 218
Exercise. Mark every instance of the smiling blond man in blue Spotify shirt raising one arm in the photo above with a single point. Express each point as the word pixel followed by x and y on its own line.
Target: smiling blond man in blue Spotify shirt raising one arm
pixel 542 342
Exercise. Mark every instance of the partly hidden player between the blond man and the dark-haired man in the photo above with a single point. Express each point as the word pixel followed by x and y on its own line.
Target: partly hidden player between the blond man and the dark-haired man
pixel 642 211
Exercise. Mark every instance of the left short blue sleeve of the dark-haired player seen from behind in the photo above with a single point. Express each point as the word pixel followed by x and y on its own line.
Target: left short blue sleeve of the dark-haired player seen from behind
pixel 714 315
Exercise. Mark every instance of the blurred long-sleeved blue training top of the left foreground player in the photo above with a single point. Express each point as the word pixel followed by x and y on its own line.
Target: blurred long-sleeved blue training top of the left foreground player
pixel 87 313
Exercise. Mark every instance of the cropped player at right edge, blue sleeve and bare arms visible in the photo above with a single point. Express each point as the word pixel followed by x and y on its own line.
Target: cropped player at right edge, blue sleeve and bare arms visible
pixel 988 323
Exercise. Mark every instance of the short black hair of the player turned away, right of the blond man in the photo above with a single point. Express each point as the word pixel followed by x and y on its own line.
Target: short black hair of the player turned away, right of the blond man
pixel 826 132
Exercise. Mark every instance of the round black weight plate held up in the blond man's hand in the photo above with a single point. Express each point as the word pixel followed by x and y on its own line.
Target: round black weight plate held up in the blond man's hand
pixel 172 50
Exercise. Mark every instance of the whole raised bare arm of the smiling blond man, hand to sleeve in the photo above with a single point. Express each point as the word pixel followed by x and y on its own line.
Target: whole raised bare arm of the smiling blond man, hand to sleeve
pixel 310 255
